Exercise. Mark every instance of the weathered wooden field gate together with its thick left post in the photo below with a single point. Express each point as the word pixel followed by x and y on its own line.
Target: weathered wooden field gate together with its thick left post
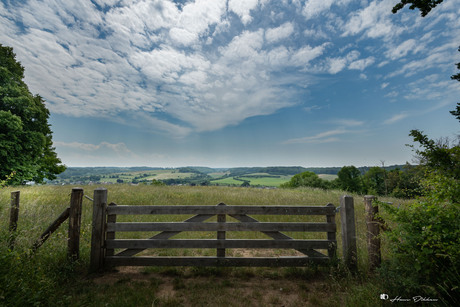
pixel 105 227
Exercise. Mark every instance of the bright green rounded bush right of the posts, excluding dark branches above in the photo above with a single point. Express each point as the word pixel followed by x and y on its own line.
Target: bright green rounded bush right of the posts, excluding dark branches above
pixel 424 244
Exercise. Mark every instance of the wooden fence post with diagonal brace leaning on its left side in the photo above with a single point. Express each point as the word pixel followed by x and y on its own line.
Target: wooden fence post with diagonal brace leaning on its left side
pixel 76 200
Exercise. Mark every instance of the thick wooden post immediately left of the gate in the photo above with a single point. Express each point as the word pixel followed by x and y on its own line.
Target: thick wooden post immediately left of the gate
pixel 98 229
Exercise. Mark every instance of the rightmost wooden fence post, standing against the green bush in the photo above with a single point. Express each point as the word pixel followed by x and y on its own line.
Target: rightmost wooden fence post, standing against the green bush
pixel 373 230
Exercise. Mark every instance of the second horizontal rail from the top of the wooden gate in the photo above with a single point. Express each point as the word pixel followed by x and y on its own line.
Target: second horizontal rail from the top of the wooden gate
pixel 252 226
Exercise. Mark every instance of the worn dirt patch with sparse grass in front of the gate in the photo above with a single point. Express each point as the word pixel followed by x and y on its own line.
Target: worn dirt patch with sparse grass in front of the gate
pixel 228 287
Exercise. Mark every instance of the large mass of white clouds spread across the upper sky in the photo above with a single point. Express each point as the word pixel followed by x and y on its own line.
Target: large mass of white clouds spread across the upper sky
pixel 185 68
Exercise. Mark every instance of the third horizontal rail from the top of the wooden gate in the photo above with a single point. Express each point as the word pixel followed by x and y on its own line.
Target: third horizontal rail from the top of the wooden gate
pixel 212 243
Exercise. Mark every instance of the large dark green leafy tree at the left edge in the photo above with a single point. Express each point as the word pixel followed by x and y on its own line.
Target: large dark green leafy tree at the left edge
pixel 26 147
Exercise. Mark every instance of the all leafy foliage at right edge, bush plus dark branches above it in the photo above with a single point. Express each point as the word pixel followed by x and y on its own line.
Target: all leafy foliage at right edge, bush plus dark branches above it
pixel 425 238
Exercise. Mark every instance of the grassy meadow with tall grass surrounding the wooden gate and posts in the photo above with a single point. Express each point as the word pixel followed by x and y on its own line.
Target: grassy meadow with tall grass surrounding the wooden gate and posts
pixel 48 279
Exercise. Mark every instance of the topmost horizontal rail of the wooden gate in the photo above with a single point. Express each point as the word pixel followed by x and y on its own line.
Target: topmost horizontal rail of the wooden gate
pixel 257 210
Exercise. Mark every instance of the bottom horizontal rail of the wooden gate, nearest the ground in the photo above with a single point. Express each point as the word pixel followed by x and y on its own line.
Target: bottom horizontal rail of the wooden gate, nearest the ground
pixel 215 261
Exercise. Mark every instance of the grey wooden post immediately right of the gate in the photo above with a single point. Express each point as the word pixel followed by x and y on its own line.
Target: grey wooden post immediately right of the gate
pixel 347 217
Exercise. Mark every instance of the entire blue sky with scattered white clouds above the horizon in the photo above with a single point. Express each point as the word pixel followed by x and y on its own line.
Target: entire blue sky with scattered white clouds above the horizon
pixel 238 82
